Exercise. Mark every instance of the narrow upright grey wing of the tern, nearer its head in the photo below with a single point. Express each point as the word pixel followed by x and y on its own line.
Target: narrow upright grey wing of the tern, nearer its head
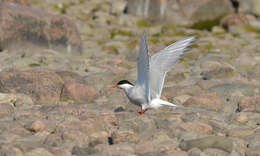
pixel 143 79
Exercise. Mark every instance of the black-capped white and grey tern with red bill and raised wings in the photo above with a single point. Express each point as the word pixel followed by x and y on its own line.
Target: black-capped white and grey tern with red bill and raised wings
pixel 152 70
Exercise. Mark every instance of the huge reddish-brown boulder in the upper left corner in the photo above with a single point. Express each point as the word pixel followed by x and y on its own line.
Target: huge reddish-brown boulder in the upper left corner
pixel 25 27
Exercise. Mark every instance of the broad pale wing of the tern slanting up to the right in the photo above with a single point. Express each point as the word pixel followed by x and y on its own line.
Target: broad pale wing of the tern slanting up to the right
pixel 163 61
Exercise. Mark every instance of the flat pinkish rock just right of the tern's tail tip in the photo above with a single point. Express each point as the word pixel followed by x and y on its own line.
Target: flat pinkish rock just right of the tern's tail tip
pixel 210 101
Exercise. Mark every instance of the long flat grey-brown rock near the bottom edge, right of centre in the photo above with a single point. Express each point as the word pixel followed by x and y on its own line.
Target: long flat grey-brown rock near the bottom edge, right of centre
pixel 218 142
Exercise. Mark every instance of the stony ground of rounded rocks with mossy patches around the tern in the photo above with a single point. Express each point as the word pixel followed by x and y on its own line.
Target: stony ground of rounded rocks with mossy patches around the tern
pixel 56 102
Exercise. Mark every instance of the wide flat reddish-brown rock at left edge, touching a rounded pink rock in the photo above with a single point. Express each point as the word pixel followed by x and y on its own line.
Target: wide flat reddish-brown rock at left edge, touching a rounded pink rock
pixel 44 86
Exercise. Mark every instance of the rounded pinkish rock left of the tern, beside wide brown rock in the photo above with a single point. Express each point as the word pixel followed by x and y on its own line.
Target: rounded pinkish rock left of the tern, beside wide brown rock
pixel 78 92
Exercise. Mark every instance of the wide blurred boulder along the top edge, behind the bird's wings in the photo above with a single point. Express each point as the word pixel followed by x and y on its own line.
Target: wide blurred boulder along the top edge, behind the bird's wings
pixel 181 12
